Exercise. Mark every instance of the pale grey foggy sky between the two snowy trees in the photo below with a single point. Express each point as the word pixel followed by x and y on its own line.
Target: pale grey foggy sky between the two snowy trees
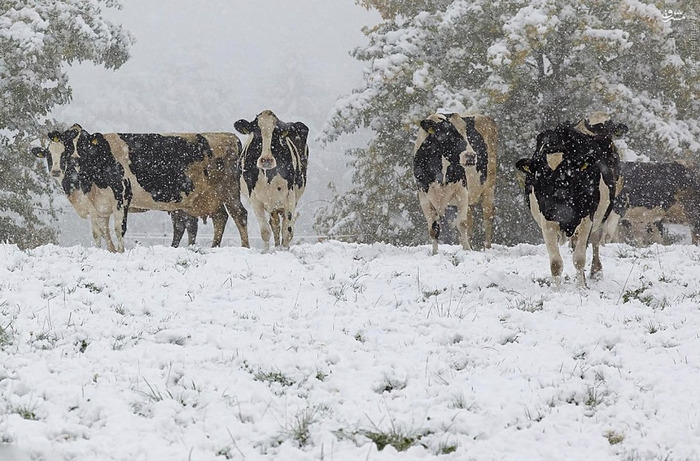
pixel 200 66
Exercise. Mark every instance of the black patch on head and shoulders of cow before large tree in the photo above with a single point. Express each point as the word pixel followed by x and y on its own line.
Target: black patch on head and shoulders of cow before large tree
pixel 442 141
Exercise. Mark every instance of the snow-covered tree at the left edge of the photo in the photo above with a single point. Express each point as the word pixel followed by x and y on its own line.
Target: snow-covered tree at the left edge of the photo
pixel 37 39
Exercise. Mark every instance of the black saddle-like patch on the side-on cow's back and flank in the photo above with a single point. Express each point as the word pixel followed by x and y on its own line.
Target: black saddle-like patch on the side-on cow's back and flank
pixel 160 163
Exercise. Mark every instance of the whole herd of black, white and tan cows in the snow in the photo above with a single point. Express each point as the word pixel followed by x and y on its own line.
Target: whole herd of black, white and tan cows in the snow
pixel 575 184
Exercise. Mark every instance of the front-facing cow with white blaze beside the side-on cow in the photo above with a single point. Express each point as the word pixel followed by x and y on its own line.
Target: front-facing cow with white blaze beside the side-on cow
pixel 273 173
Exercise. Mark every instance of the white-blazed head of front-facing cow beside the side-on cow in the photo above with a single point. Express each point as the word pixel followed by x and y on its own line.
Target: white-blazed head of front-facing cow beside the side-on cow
pixel 269 136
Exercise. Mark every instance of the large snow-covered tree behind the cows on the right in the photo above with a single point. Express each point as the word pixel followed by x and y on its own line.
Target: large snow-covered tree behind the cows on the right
pixel 529 64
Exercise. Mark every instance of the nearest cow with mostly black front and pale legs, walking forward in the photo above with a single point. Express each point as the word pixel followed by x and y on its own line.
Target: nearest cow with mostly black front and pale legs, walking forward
pixel 570 184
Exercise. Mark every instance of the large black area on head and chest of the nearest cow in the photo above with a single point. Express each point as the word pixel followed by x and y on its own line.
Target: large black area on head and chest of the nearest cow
pixel 570 192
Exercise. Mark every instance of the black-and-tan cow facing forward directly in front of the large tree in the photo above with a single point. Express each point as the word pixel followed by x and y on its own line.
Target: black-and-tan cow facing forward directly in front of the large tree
pixel 454 163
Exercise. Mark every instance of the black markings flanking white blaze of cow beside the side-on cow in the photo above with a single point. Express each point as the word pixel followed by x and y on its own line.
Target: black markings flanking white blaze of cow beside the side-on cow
pixel 296 132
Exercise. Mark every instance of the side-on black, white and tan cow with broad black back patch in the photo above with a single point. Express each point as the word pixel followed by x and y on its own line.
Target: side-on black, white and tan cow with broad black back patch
pixel 105 174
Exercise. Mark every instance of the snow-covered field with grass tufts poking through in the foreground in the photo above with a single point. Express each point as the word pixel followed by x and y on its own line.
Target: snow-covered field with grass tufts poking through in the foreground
pixel 334 351
